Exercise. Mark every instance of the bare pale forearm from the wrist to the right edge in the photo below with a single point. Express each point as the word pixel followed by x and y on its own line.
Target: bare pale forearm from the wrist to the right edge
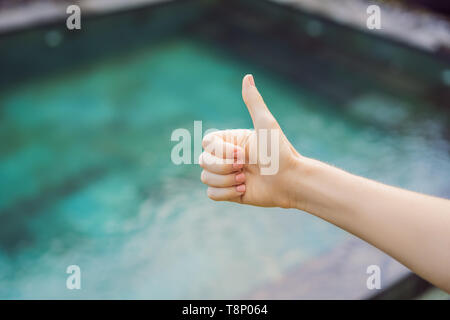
pixel 411 227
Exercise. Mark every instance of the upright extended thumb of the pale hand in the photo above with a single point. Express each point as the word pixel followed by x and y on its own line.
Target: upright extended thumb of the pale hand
pixel 261 116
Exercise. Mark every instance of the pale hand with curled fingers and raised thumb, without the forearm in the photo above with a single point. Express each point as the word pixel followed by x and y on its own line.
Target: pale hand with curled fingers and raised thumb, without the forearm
pixel 250 166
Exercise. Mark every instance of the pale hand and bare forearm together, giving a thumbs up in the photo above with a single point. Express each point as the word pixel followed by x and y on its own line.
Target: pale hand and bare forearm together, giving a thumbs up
pixel 411 227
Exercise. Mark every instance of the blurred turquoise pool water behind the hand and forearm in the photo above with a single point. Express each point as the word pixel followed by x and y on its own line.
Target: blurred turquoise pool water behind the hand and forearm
pixel 86 176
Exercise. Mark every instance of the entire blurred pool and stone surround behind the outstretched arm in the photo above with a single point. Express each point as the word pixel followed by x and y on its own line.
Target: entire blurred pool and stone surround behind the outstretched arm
pixel 86 118
